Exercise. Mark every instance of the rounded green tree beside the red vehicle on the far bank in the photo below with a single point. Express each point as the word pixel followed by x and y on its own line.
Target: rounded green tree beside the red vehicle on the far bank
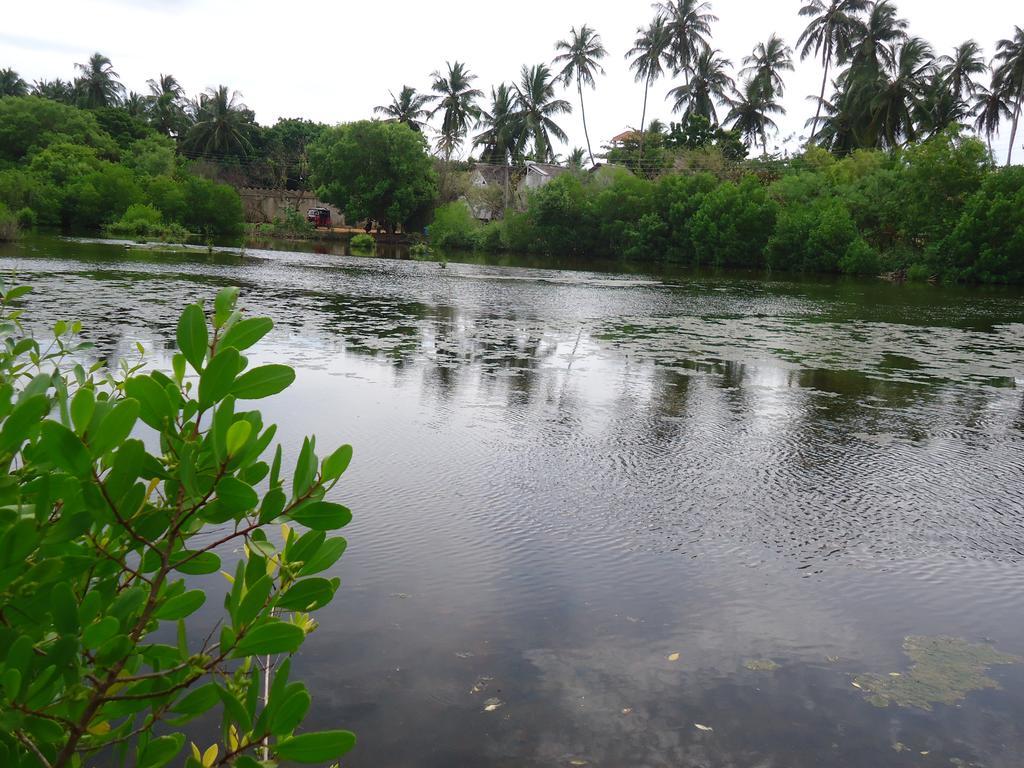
pixel 375 172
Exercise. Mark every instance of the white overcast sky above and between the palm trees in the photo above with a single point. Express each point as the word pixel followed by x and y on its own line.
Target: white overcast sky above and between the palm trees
pixel 333 62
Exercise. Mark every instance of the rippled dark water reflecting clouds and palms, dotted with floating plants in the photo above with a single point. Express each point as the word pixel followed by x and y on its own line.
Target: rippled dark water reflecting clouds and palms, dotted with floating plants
pixel 650 520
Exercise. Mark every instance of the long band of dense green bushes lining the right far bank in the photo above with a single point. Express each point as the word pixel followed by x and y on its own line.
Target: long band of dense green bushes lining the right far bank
pixel 940 208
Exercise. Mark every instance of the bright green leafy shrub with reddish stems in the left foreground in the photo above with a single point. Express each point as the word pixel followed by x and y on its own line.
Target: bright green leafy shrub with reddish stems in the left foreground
pixel 120 488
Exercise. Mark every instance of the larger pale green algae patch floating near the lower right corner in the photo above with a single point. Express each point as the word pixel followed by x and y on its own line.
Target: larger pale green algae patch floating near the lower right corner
pixel 945 671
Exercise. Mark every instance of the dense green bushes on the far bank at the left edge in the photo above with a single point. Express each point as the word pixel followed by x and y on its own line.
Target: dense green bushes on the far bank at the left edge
pixel 60 163
